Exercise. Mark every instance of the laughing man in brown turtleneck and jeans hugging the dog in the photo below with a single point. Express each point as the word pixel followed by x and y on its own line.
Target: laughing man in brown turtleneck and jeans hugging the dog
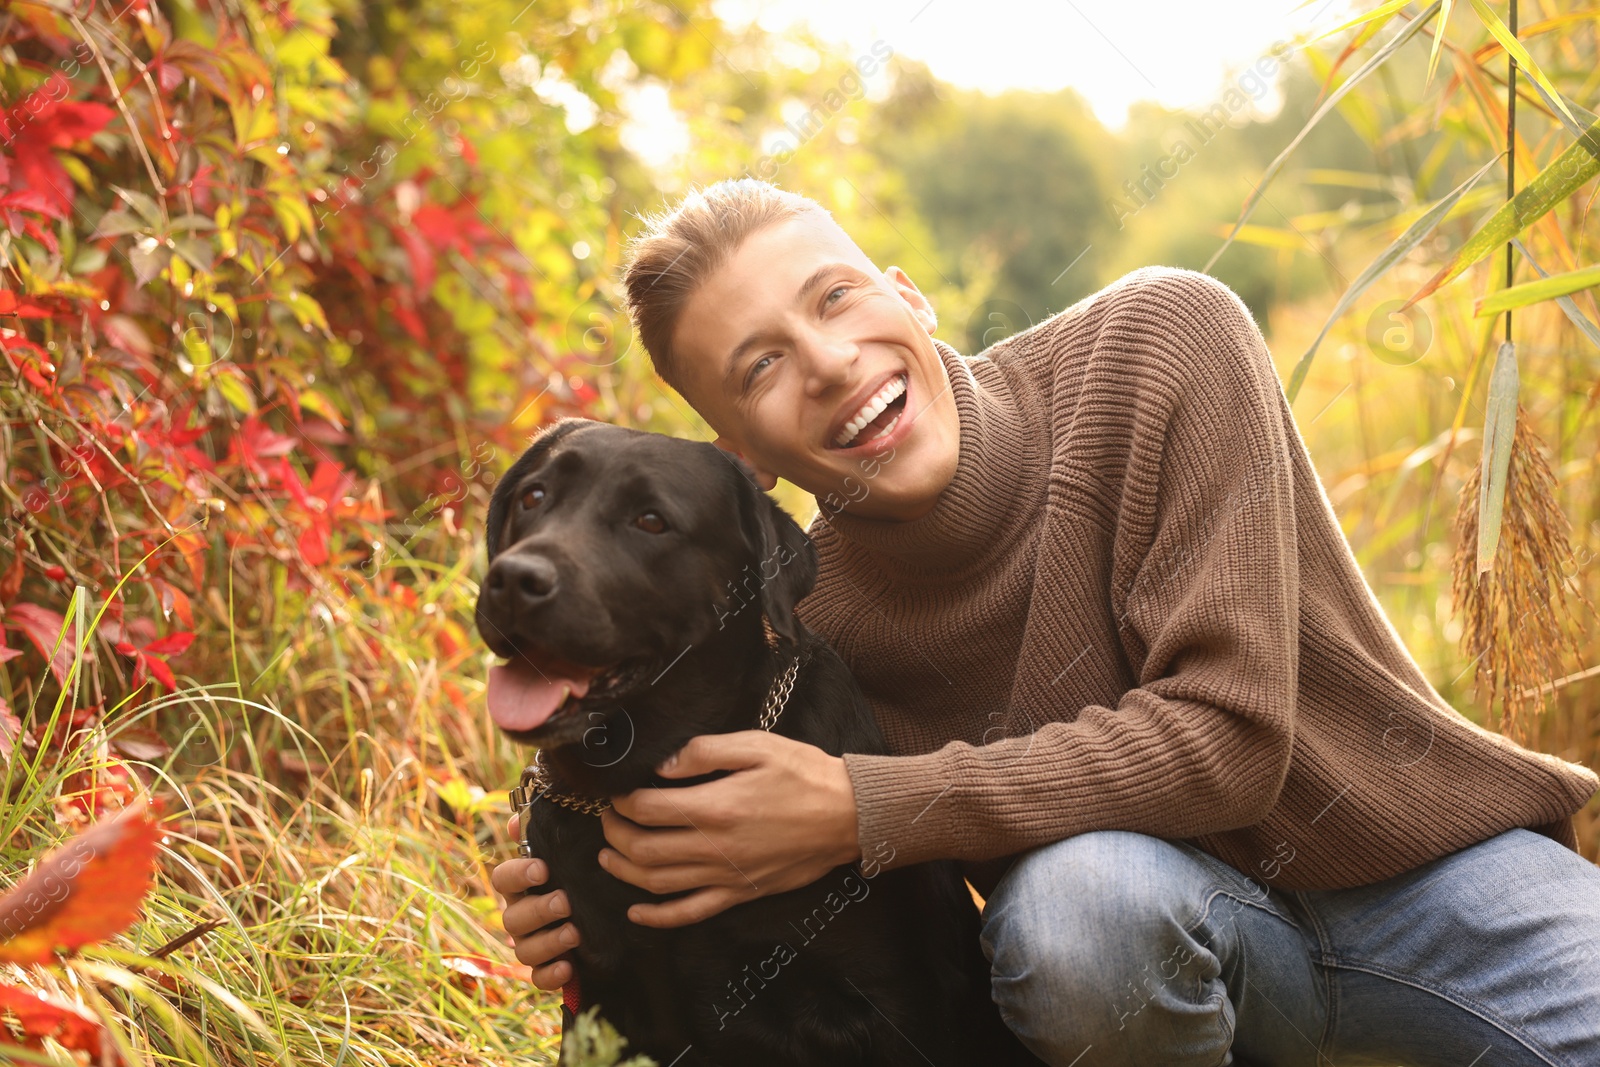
pixel 1130 671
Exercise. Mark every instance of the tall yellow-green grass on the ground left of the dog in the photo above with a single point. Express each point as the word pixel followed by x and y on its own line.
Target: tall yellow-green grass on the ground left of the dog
pixel 332 820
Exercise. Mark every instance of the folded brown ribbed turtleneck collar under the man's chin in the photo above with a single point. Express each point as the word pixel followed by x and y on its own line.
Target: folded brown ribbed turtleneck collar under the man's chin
pixel 1001 481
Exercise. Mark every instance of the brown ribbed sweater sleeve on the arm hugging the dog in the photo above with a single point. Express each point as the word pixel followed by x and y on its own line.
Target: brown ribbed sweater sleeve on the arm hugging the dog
pixel 1206 596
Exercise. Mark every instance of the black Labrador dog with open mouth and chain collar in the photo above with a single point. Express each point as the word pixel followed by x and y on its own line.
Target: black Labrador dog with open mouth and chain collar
pixel 642 591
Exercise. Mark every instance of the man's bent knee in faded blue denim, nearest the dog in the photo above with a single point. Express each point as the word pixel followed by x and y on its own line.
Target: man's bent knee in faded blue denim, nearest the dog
pixel 1089 945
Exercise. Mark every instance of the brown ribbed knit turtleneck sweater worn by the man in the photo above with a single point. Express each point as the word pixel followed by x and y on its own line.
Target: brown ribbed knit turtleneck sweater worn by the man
pixel 1134 609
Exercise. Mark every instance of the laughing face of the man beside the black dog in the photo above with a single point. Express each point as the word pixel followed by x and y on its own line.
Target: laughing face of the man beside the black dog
pixel 820 369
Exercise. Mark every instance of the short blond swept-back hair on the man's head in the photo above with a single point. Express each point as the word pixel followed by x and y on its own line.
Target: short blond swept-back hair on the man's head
pixel 678 250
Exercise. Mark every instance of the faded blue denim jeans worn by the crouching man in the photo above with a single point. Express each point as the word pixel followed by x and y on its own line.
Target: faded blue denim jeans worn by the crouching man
pixel 1116 948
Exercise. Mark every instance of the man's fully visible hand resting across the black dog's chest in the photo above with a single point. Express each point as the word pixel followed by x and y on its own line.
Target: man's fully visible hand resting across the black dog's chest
pixel 782 820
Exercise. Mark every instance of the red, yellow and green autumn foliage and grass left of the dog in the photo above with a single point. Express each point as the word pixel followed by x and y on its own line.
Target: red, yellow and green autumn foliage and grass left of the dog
pixel 282 289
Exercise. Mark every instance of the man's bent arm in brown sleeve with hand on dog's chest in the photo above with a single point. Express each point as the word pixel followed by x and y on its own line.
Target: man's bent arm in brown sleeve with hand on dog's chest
pixel 1201 745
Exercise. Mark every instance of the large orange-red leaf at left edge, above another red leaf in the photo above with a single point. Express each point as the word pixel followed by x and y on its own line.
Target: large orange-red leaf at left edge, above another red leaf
pixel 84 892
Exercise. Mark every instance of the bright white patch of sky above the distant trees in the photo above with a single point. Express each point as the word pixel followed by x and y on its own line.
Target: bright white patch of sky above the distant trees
pixel 1114 54
